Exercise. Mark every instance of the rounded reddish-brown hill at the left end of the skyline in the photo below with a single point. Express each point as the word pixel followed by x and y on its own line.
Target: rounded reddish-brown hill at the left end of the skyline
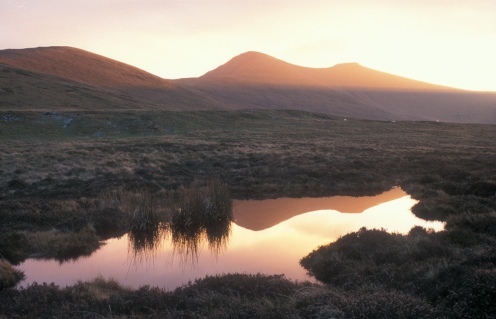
pixel 102 74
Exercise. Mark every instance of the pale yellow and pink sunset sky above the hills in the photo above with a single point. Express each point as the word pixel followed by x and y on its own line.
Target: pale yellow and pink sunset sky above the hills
pixel 449 42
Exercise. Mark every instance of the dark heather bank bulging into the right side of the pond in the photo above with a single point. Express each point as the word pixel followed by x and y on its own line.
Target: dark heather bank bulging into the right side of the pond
pixel 452 270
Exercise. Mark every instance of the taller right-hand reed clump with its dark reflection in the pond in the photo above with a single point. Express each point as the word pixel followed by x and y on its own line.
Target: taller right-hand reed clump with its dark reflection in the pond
pixel 202 210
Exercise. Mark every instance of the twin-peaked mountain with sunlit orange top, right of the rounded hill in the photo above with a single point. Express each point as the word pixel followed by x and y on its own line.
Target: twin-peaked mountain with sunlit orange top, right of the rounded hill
pixel 256 80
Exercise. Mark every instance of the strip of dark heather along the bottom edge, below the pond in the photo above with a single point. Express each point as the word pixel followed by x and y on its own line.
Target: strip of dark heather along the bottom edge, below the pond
pixel 227 296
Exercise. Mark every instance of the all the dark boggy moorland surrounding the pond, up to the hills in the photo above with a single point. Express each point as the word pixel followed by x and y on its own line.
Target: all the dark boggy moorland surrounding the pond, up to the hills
pixel 56 166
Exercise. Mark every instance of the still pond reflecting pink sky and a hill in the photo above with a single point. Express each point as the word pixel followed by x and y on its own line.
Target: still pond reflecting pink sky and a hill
pixel 267 236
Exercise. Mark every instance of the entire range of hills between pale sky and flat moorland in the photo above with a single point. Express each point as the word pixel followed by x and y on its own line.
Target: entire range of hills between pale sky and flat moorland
pixel 69 77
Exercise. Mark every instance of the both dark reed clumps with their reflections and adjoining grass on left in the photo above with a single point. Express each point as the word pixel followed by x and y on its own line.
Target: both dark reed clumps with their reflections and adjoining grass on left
pixel 201 211
